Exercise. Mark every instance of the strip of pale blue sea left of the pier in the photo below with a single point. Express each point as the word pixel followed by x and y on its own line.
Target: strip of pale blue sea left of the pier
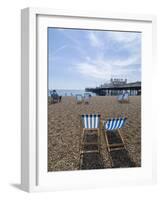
pixel 71 92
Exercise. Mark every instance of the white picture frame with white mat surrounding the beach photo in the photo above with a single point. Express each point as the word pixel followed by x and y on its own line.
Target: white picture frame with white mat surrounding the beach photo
pixel 33 175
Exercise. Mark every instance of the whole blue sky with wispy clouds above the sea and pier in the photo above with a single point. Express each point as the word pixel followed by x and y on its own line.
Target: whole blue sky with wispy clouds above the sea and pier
pixel 88 58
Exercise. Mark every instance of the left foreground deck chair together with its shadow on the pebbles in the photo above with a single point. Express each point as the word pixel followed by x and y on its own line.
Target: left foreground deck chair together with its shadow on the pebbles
pixel 90 156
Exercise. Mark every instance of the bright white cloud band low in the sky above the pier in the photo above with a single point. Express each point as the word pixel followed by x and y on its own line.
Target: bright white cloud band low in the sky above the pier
pixel 102 69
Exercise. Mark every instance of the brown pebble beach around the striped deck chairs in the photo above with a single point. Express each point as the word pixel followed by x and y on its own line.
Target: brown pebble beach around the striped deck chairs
pixel 64 132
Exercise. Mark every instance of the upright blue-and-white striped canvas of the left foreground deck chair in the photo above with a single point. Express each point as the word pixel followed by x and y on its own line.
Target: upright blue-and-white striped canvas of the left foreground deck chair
pixel 91 121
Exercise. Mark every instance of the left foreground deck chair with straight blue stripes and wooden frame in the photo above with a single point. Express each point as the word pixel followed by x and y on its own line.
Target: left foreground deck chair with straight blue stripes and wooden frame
pixel 91 126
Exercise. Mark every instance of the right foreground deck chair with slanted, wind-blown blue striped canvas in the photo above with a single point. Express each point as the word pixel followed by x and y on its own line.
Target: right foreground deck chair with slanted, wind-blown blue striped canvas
pixel 112 127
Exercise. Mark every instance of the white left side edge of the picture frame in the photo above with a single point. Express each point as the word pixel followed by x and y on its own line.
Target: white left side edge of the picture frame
pixel 28 100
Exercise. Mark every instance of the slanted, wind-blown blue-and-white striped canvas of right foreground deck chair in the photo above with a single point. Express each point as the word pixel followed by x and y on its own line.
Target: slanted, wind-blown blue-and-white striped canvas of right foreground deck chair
pixel 115 123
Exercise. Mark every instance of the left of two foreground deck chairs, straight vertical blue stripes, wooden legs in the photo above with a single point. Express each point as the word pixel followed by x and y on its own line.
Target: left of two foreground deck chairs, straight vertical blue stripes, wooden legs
pixel 90 141
